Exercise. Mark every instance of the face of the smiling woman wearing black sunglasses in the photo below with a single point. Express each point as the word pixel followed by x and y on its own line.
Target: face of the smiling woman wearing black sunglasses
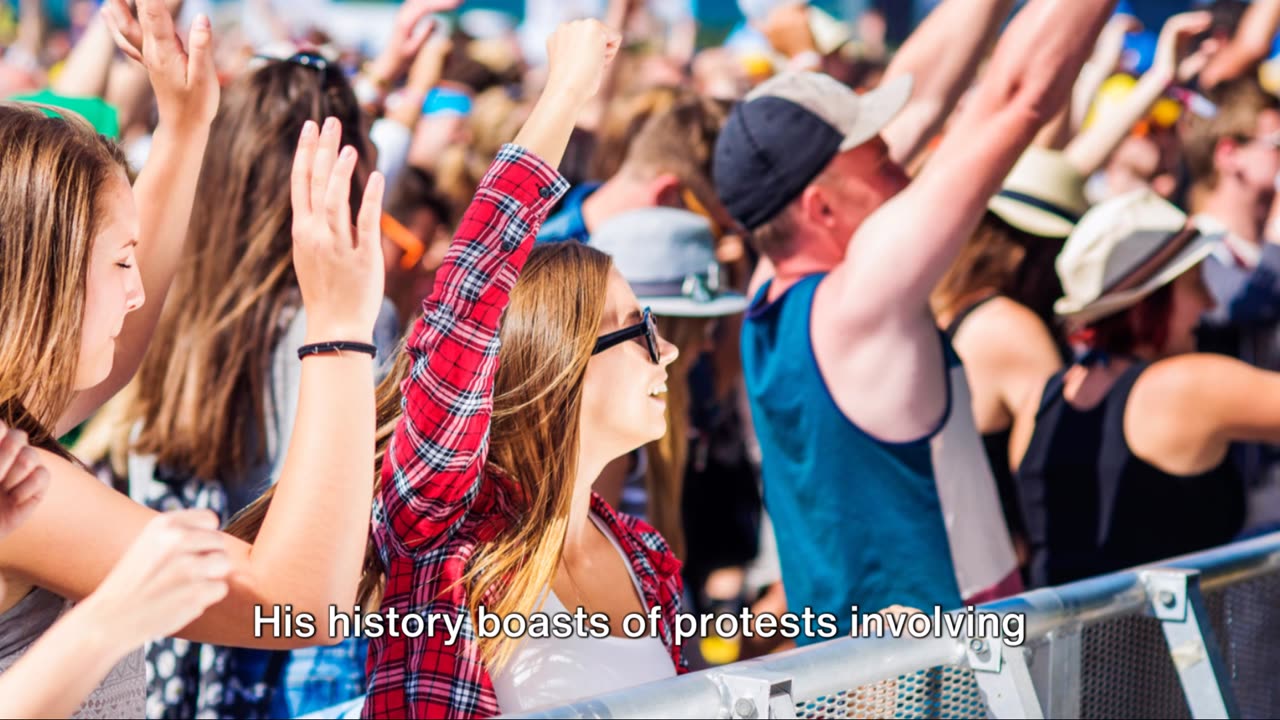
pixel 621 409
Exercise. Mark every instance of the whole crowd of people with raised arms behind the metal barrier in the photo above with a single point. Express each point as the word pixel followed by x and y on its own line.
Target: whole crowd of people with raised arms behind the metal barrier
pixel 633 327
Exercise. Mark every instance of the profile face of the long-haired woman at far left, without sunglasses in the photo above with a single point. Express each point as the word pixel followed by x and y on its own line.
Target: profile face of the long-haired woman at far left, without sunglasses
pixel 115 286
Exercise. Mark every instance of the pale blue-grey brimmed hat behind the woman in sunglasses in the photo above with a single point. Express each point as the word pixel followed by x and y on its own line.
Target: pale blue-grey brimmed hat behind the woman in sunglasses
pixel 669 258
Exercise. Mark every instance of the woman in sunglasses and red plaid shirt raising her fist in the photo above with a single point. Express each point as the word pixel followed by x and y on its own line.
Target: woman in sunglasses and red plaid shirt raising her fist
pixel 508 403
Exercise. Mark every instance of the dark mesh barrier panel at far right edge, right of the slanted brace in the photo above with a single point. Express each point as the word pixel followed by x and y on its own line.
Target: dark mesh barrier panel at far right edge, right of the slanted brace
pixel 1246 619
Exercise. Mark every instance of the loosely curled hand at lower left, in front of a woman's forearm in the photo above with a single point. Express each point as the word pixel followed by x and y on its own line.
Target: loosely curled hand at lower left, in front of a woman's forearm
pixel 172 573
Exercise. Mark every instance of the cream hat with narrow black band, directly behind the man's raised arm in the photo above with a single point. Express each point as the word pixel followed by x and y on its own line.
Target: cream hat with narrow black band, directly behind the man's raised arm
pixel 1044 195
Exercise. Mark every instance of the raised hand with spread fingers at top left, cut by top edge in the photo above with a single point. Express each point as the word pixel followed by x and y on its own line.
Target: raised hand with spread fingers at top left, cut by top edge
pixel 184 78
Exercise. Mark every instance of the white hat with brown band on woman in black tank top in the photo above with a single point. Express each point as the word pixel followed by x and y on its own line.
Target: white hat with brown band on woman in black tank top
pixel 1122 252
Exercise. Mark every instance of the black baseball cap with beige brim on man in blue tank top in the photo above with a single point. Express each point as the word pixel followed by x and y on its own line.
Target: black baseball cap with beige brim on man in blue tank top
pixel 779 139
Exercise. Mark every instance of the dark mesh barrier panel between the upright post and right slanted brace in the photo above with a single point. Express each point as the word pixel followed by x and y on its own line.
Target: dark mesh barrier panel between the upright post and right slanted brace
pixel 1126 672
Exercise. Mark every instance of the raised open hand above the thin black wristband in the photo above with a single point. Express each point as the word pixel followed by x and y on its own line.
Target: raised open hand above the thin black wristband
pixel 340 268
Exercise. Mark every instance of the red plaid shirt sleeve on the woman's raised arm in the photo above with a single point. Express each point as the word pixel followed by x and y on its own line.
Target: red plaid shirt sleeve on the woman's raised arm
pixel 433 468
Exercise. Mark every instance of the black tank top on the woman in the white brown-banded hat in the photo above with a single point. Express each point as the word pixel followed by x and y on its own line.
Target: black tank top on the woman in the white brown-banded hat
pixel 1092 507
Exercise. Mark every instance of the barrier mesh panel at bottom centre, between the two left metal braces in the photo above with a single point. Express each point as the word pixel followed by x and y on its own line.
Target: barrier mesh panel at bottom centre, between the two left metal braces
pixel 939 692
